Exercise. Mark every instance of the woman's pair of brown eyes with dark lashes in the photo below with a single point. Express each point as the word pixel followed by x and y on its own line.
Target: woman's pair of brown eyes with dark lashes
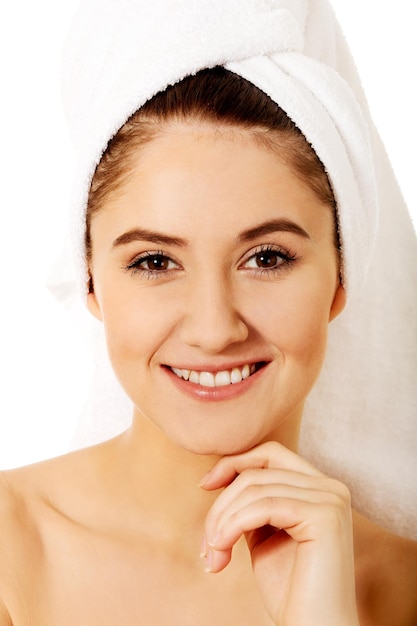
pixel 265 260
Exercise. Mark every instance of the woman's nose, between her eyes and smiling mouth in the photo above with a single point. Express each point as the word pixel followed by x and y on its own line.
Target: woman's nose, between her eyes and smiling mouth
pixel 211 320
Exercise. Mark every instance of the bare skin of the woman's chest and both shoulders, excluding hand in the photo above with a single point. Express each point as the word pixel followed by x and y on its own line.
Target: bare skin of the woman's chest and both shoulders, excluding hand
pixel 78 549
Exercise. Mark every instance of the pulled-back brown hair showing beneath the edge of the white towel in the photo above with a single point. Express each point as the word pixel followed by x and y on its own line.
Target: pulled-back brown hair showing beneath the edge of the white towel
pixel 212 95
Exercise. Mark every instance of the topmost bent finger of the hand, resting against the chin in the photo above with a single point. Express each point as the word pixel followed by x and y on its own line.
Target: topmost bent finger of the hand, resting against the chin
pixel 270 455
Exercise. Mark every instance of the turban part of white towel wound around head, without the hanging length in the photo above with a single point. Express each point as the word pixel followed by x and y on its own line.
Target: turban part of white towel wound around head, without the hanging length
pixel 123 52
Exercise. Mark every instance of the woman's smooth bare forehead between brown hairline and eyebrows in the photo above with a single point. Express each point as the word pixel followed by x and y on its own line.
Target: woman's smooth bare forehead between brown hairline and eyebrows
pixel 218 177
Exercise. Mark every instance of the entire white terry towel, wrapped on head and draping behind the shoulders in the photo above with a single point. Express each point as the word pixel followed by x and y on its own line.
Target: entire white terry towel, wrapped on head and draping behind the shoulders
pixel 360 420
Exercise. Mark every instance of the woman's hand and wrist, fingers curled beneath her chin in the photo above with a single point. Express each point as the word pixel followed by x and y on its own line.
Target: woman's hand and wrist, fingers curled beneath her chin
pixel 298 527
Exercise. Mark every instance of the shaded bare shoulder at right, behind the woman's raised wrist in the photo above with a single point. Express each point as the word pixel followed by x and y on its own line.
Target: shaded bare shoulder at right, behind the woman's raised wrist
pixel 386 573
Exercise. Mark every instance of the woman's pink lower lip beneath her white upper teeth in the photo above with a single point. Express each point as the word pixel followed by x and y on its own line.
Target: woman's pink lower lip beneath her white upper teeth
pixel 214 394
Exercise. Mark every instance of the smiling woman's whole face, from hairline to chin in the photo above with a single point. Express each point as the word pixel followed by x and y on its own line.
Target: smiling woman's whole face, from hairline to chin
pixel 215 275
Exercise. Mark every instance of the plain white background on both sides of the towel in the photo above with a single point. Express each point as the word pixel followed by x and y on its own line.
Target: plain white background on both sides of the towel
pixel 44 364
